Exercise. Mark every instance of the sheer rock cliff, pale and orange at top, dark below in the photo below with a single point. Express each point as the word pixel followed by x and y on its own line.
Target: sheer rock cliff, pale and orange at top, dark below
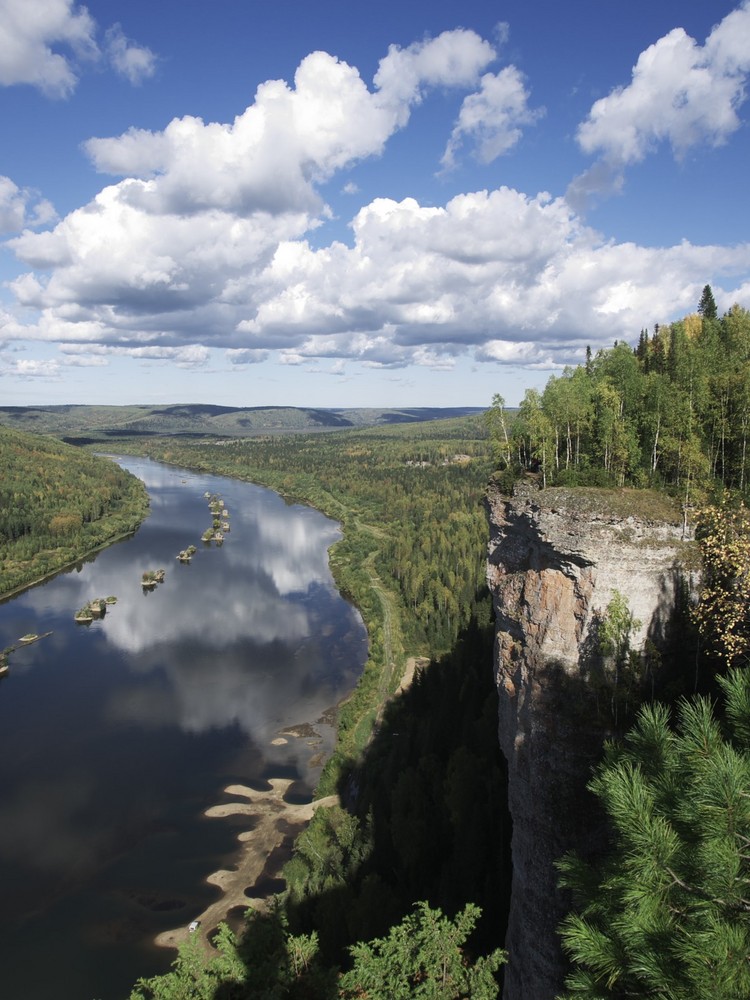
pixel 555 559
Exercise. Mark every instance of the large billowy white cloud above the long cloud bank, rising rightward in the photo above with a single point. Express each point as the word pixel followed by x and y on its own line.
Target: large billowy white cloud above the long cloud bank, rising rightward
pixel 273 155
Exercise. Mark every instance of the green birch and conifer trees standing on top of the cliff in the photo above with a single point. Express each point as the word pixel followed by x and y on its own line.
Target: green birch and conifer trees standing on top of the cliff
pixel 672 413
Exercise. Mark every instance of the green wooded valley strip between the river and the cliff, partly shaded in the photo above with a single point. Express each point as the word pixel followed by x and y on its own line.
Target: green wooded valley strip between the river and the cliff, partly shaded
pixel 420 777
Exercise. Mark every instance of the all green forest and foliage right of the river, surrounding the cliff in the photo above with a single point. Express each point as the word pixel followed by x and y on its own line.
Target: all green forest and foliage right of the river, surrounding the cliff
pixel 403 890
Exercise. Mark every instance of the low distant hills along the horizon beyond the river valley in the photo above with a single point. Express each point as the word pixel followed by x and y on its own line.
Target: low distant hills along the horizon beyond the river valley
pixel 90 424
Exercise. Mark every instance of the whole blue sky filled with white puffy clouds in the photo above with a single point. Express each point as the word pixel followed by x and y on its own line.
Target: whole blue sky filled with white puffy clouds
pixel 337 204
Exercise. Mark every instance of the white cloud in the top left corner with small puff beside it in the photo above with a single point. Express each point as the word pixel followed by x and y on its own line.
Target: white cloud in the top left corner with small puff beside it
pixel 33 31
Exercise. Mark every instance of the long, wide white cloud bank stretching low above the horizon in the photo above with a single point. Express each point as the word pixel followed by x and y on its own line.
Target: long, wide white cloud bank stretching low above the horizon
pixel 487 271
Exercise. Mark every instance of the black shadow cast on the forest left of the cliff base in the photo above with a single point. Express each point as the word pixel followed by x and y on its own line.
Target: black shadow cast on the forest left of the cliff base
pixel 430 794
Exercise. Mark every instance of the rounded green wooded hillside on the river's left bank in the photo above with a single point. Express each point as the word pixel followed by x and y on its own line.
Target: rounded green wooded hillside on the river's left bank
pixel 58 503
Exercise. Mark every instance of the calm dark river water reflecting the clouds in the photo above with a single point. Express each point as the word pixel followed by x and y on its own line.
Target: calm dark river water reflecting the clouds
pixel 115 737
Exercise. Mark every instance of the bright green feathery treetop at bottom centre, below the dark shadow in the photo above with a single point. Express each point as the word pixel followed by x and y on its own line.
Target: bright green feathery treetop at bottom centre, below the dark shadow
pixel 423 957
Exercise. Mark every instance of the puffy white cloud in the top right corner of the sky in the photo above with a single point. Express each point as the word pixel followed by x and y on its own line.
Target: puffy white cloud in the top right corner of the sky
pixel 681 93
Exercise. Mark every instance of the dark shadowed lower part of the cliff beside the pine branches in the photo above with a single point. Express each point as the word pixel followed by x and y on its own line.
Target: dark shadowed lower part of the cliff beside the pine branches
pixel 575 710
